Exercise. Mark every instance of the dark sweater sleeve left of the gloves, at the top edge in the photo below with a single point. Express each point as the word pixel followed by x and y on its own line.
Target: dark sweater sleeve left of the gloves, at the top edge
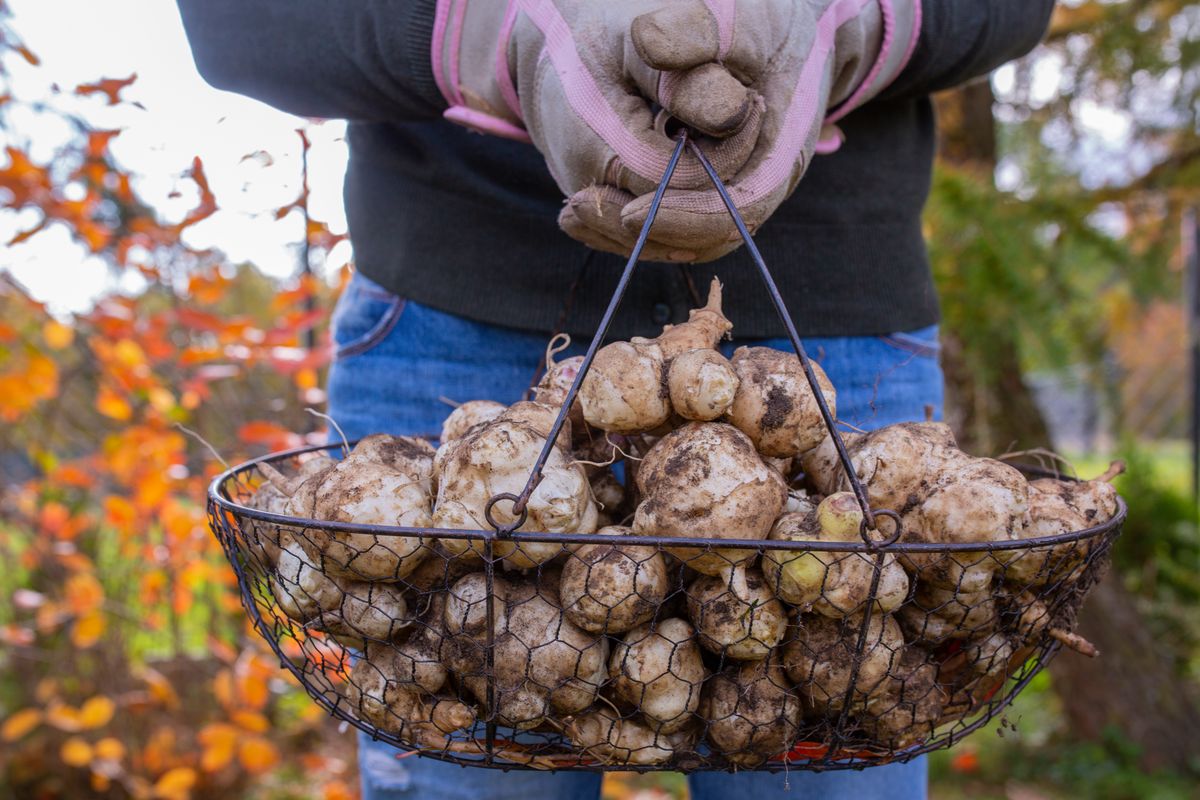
pixel 355 59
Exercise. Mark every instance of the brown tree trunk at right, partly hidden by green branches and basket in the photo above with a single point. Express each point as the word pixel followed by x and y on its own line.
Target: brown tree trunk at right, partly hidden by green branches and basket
pixel 1132 687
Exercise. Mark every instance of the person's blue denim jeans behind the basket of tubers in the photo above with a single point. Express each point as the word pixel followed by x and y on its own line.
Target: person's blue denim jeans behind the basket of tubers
pixel 397 364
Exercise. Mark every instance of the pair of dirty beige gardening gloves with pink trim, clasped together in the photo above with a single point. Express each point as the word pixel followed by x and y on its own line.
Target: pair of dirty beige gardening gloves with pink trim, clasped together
pixel 579 79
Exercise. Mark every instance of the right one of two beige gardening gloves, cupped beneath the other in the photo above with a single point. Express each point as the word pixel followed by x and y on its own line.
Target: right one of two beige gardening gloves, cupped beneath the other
pixel 811 63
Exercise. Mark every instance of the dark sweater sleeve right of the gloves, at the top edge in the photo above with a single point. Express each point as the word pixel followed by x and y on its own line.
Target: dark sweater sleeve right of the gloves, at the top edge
pixel 962 40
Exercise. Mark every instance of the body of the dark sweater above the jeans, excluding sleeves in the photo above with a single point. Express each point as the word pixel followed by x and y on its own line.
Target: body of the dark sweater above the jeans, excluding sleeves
pixel 469 224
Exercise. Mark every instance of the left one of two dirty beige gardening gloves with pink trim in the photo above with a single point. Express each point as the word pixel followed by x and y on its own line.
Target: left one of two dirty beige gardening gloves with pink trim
pixel 566 76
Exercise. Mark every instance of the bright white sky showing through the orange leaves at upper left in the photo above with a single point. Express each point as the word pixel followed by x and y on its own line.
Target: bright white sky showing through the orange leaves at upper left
pixel 184 118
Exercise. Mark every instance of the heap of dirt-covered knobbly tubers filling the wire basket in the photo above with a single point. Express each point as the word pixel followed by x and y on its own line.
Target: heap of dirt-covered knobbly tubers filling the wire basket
pixel 625 653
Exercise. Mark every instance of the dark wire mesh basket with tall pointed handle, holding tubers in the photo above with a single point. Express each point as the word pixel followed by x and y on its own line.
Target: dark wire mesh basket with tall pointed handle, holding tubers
pixel 515 649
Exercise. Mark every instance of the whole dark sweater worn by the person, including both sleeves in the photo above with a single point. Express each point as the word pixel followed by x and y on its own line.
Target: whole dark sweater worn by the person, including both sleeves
pixel 467 224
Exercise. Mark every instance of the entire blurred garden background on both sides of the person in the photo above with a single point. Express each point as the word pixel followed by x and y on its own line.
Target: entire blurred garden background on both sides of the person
pixel 171 256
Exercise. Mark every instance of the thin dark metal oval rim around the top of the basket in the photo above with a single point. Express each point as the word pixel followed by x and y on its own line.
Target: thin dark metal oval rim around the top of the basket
pixel 220 497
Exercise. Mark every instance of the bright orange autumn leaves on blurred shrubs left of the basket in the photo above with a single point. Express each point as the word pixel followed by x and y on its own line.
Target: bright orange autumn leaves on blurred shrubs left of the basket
pixel 128 669
